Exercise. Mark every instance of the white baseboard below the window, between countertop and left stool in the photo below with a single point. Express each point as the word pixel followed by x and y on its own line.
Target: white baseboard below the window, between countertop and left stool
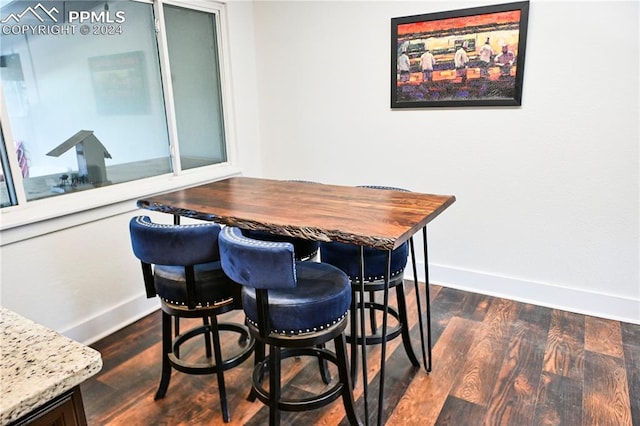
pixel 112 320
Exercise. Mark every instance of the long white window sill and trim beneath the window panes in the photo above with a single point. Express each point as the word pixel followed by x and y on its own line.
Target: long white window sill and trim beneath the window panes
pixel 48 215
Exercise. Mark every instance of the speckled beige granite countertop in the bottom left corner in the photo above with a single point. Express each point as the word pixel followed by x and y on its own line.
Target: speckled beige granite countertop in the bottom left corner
pixel 37 364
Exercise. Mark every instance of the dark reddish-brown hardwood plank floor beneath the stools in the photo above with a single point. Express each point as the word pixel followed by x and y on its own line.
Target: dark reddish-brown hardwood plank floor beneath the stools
pixel 495 362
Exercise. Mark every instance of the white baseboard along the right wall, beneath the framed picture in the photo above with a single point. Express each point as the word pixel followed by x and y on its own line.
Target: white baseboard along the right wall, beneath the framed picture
pixel 552 296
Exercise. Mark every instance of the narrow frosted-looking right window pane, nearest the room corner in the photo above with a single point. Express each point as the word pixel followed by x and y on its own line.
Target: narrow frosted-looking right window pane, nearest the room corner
pixel 195 76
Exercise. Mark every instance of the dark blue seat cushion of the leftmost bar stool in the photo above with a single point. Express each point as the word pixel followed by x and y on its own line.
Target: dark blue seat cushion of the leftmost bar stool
pixel 211 284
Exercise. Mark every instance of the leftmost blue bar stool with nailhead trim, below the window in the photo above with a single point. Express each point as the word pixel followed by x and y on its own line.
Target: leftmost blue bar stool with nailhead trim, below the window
pixel 181 265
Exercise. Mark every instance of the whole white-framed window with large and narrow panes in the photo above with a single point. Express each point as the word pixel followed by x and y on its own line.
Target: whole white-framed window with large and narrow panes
pixel 99 93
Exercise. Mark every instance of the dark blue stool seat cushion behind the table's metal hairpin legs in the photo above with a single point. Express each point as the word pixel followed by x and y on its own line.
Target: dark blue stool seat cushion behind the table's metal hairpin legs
pixel 347 258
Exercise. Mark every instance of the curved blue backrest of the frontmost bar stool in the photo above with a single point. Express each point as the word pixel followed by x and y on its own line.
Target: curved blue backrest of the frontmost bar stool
pixel 256 263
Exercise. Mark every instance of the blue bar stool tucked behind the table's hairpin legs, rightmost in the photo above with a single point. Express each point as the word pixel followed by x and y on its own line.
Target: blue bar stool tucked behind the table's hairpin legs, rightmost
pixel 347 258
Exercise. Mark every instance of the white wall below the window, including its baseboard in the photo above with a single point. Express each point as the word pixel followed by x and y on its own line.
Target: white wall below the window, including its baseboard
pixel 82 281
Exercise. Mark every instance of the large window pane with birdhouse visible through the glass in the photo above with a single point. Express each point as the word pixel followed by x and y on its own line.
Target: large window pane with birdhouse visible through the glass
pixel 87 110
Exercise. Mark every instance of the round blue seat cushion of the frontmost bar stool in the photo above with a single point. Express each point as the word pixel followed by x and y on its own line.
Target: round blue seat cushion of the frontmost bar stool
pixel 321 298
